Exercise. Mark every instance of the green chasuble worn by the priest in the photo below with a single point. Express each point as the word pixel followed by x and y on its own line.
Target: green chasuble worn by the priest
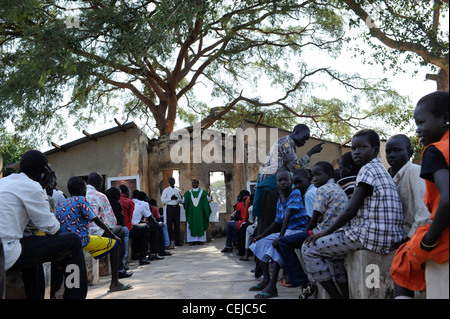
pixel 197 211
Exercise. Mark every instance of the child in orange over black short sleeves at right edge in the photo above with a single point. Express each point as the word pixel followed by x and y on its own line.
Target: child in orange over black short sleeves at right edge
pixel 430 241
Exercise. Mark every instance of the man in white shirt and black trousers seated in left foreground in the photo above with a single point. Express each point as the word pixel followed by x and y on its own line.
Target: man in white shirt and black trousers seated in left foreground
pixel 23 198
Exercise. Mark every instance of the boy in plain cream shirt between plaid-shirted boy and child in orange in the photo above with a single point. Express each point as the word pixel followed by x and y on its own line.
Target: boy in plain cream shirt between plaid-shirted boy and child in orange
pixel 410 186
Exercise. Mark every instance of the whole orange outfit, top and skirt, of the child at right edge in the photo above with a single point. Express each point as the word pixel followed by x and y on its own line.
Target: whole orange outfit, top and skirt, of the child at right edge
pixel 408 266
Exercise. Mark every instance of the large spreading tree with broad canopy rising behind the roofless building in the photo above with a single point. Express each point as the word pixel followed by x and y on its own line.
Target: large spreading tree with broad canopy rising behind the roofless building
pixel 75 58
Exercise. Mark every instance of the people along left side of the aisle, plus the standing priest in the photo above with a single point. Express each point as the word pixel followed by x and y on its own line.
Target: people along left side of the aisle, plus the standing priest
pixel 41 224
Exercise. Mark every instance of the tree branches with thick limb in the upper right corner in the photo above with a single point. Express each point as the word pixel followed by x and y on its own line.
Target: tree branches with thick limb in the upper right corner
pixel 412 27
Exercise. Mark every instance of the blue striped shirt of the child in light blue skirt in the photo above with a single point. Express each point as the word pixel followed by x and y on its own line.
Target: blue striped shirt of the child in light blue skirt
pixel 298 218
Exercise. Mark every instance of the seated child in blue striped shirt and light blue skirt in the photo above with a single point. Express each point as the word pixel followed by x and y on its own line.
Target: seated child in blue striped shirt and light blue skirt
pixel 290 218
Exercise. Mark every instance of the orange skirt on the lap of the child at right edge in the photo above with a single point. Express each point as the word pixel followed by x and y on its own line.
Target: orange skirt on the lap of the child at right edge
pixel 408 266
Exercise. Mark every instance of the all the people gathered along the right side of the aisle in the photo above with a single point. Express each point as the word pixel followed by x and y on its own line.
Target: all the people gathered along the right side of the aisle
pixel 327 214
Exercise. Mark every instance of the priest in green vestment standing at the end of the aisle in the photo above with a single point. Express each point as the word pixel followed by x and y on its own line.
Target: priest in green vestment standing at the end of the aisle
pixel 197 209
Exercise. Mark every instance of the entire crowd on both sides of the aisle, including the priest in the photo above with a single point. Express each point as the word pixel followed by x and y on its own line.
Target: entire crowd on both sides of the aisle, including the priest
pixel 323 213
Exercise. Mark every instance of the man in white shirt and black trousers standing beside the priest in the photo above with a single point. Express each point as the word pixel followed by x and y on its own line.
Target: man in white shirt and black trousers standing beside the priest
pixel 171 197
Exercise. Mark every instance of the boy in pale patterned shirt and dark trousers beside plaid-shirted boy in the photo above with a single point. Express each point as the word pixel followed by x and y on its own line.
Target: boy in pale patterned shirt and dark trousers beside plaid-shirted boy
pixel 330 201
